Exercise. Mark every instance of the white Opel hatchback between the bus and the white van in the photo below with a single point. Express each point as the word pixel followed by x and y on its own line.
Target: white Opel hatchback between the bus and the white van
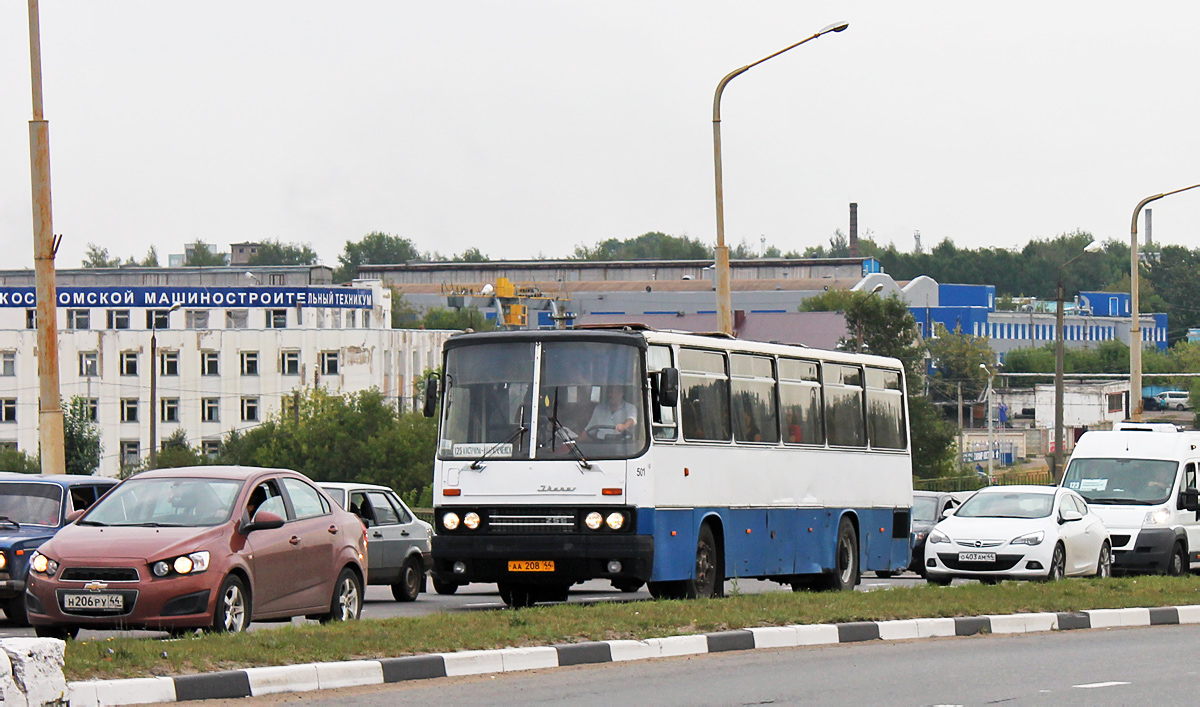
pixel 1019 532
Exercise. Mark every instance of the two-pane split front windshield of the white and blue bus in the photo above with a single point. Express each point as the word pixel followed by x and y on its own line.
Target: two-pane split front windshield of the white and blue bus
pixel 590 403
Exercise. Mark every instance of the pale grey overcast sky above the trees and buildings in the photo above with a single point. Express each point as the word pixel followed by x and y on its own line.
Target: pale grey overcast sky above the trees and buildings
pixel 529 128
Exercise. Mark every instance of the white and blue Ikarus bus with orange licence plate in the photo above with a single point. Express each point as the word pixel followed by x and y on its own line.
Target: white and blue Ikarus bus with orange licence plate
pixel 668 459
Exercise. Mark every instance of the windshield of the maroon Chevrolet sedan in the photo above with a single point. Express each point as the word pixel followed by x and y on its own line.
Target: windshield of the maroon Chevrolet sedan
pixel 166 502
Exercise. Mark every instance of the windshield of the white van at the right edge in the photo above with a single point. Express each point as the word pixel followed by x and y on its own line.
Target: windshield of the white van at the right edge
pixel 1139 482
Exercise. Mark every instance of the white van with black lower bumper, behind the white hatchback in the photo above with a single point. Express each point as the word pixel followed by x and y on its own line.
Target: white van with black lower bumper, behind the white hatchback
pixel 1142 481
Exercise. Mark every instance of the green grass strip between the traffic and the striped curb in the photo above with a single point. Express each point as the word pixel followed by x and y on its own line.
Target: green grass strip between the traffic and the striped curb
pixel 566 624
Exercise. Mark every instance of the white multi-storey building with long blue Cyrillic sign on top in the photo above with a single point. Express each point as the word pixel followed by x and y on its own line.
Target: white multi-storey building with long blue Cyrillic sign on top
pixel 227 357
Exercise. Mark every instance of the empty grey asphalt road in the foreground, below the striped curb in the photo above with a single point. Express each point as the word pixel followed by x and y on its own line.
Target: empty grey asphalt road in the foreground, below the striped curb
pixel 1102 667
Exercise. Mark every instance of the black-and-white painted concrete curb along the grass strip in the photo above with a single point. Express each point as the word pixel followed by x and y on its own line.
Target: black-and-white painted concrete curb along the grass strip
pixel 316 676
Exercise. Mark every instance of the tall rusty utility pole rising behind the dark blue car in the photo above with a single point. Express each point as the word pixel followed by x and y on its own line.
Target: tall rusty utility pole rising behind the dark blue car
pixel 50 404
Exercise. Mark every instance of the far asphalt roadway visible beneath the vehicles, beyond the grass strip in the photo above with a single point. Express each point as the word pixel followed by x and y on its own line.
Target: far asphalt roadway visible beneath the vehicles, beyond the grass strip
pixel 380 603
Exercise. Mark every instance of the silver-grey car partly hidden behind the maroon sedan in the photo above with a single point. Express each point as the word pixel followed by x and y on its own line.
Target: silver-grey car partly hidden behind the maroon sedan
pixel 398 543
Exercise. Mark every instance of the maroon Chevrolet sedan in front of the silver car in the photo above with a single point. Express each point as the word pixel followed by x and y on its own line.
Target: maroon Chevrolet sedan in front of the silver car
pixel 201 548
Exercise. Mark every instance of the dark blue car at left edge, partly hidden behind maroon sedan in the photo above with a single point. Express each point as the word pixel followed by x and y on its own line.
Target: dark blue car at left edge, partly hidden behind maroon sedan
pixel 33 510
